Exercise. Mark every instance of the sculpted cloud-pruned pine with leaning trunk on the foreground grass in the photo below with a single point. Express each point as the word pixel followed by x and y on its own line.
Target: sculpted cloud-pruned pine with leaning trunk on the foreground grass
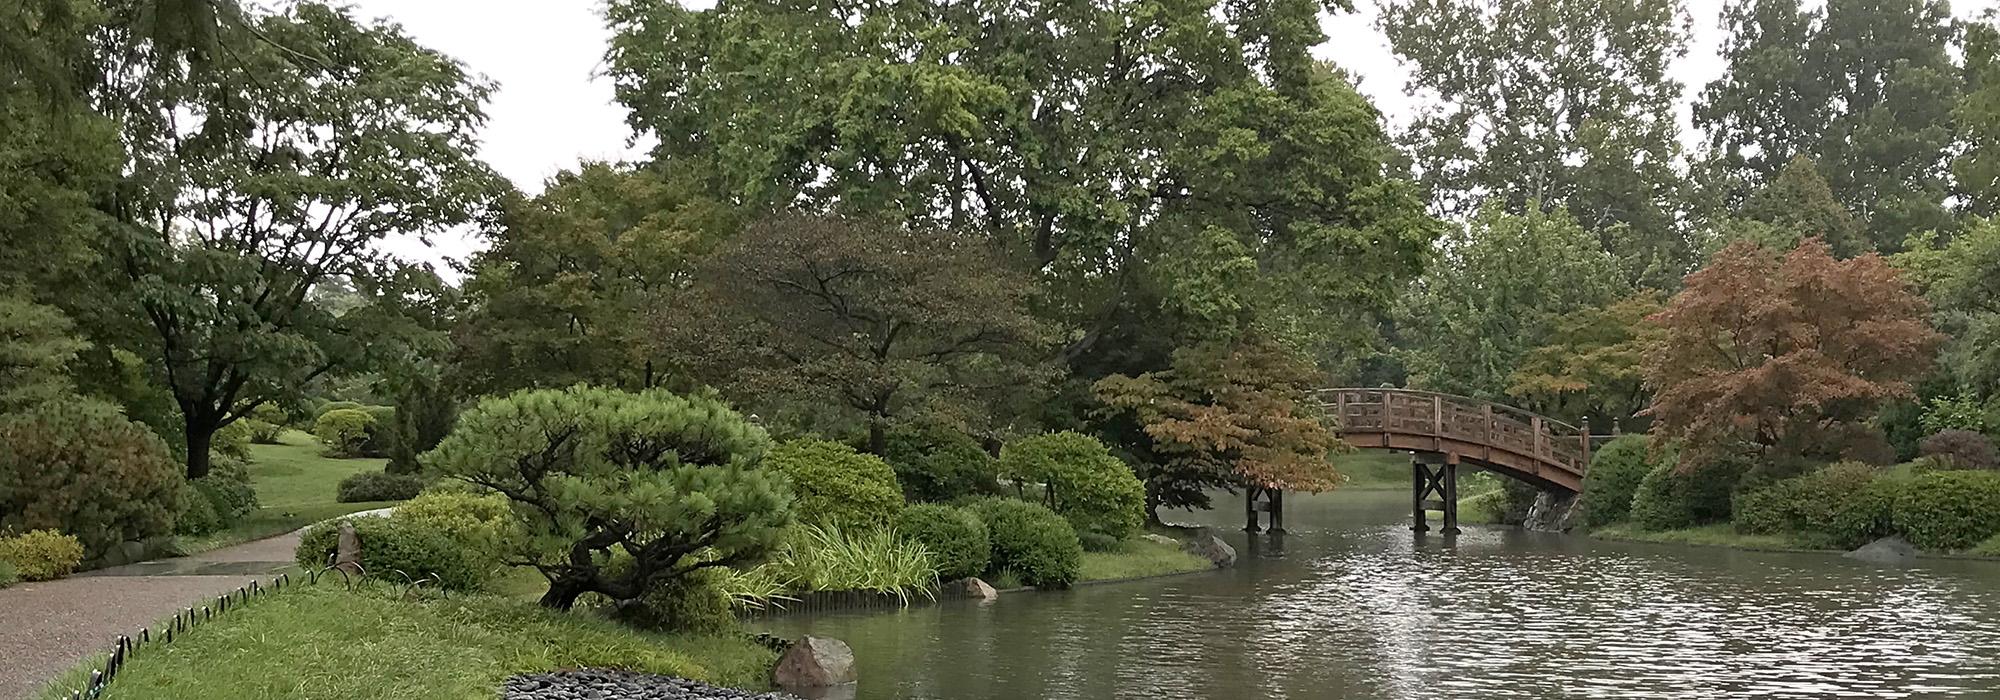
pixel 597 475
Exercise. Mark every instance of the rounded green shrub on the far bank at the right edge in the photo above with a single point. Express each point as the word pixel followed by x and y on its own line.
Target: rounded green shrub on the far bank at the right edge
pixel 1949 511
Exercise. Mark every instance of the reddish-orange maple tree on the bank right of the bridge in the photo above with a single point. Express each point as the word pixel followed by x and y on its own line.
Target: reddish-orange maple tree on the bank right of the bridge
pixel 1787 355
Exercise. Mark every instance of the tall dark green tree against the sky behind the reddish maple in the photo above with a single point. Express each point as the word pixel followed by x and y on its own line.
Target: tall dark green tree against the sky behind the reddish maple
pixel 1863 87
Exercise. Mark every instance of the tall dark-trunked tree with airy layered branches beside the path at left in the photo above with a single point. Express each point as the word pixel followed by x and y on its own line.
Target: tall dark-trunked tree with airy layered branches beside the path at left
pixel 265 175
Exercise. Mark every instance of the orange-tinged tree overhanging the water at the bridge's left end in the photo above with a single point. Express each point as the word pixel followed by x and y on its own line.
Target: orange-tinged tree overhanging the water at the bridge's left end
pixel 1227 415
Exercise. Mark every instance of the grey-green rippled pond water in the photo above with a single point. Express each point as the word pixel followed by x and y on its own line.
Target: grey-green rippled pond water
pixel 1351 605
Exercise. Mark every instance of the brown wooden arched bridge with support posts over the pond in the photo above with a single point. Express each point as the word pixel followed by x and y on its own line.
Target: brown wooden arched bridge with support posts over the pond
pixel 1441 433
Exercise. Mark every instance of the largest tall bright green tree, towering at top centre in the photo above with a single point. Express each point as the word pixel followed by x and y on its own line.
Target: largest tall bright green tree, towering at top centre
pixel 1177 161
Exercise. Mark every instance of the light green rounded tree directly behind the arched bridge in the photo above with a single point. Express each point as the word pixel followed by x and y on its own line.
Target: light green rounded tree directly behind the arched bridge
pixel 1497 293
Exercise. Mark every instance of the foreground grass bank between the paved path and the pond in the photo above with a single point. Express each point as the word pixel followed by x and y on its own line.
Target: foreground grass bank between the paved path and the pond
pixel 333 645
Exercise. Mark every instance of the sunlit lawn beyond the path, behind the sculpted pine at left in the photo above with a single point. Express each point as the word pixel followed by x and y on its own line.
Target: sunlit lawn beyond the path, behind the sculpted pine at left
pixel 295 487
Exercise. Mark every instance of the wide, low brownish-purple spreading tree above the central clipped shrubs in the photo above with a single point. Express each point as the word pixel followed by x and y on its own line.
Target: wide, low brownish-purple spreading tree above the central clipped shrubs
pixel 877 323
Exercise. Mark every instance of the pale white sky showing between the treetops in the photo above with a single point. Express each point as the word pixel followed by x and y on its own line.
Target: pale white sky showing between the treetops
pixel 553 111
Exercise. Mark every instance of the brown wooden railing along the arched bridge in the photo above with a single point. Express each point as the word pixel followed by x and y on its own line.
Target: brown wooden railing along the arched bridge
pixel 1397 411
